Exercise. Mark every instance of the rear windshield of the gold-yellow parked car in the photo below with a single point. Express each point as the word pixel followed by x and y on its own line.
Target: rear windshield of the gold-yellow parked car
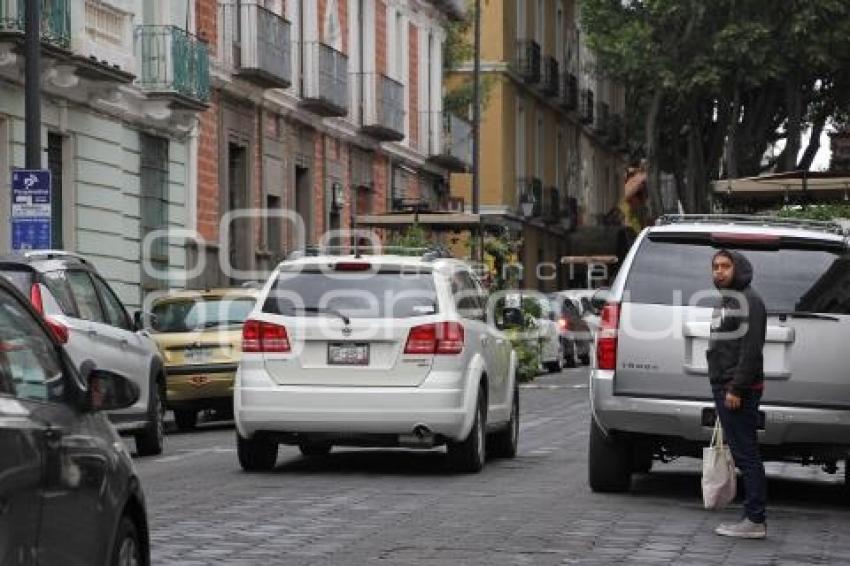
pixel 191 314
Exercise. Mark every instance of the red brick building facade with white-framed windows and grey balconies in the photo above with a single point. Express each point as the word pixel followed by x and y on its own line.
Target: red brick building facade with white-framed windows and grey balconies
pixel 329 109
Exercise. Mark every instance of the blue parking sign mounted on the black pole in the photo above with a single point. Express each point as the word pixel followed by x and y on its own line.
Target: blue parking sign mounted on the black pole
pixel 31 210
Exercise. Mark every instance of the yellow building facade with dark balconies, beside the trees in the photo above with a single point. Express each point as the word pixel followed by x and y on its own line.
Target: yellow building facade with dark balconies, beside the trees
pixel 552 134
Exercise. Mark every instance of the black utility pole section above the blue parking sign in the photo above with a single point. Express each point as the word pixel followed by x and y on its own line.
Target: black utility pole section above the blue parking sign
pixel 32 84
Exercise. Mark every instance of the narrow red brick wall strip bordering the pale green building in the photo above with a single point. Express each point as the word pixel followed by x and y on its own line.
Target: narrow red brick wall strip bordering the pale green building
pixel 208 158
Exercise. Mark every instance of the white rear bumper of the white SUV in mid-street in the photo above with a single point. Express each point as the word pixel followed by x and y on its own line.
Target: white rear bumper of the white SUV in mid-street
pixel 442 403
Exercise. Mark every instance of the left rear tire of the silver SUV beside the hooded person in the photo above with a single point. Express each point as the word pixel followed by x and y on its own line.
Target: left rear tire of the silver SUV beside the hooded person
pixel 609 462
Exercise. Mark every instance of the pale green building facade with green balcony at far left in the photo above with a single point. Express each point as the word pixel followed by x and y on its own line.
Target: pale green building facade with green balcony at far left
pixel 122 83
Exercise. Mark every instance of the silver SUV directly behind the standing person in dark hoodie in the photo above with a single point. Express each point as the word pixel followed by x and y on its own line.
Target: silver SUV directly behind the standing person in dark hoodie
pixel 650 394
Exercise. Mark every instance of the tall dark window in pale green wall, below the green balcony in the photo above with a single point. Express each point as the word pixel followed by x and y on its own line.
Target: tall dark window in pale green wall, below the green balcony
pixel 154 204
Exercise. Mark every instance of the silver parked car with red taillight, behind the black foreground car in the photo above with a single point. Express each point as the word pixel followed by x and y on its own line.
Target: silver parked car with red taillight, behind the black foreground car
pixel 90 321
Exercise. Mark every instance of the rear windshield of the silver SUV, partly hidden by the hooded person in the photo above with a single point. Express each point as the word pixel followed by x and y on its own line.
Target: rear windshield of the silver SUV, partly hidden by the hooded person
pixel 789 279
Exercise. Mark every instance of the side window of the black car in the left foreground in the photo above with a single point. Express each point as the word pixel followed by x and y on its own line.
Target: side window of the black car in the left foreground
pixel 29 363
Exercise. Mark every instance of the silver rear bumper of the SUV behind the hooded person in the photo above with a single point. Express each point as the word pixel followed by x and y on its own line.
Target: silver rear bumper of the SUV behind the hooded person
pixel 683 418
